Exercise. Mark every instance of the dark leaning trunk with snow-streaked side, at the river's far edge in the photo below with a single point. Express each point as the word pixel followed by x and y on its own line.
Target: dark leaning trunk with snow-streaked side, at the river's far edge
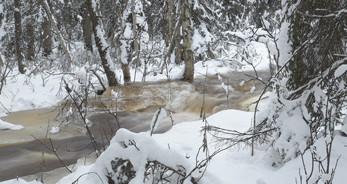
pixel 101 44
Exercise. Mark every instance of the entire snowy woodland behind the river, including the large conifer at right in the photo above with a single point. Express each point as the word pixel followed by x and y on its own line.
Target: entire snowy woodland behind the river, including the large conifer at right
pixel 306 42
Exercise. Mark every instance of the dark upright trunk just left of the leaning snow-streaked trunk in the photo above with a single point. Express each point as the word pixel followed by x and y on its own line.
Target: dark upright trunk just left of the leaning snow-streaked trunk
pixel 87 33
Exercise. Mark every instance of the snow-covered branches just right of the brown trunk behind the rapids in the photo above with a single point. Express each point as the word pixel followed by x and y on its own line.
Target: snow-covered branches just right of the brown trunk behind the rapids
pixel 220 27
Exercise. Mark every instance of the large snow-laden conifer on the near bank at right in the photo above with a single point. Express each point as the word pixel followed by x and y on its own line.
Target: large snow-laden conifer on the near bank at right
pixel 308 100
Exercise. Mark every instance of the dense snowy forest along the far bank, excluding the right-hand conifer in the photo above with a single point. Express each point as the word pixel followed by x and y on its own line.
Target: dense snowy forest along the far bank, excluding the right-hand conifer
pixel 127 34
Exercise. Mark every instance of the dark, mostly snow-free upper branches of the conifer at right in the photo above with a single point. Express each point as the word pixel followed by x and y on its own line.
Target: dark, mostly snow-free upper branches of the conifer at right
pixel 317 34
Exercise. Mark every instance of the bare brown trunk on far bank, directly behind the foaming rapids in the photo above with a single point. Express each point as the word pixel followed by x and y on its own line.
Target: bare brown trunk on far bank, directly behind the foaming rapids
pixel 187 42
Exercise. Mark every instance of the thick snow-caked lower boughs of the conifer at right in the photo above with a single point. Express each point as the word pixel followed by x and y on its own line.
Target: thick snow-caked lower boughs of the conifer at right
pixel 286 116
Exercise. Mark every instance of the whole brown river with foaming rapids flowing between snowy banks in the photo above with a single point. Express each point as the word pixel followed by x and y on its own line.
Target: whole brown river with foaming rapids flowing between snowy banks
pixel 22 155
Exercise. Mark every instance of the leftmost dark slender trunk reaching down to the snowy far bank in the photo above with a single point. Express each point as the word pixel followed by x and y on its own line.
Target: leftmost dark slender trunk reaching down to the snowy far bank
pixel 18 34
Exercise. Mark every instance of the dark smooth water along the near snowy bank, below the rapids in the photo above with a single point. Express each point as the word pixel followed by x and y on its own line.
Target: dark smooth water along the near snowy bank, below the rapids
pixel 23 159
